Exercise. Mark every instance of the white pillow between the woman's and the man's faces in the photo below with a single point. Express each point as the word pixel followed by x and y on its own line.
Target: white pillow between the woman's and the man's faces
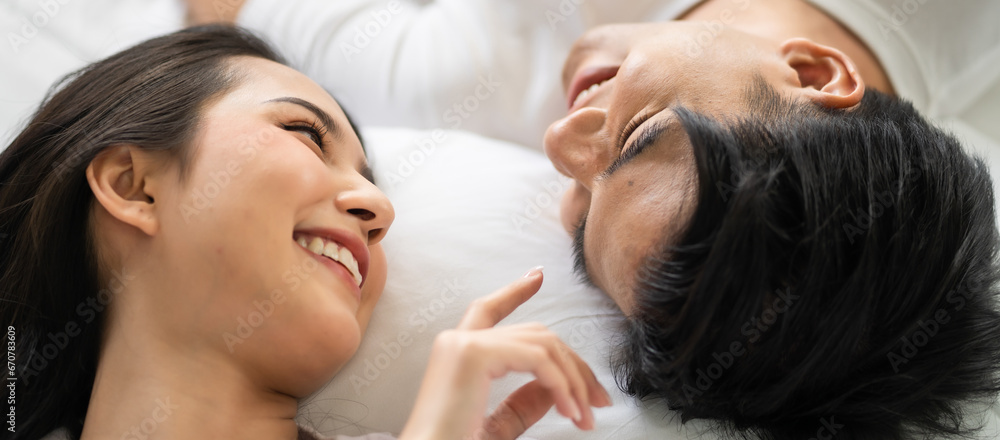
pixel 472 214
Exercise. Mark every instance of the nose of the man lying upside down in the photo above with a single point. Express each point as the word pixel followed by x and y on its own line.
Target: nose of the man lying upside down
pixel 579 145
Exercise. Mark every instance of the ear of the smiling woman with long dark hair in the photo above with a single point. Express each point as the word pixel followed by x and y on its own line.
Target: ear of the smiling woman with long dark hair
pixel 118 178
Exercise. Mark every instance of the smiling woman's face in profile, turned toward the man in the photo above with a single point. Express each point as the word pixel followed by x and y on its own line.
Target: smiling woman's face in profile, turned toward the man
pixel 270 242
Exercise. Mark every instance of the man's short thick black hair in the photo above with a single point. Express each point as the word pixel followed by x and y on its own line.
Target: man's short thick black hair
pixel 838 278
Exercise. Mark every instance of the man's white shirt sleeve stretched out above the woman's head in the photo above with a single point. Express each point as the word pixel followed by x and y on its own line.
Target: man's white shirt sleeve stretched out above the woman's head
pixel 489 66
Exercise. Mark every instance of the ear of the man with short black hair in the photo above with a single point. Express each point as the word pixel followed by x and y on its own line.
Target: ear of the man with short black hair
pixel 826 75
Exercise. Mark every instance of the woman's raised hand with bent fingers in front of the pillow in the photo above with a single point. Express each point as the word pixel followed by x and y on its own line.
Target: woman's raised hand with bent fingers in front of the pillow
pixel 452 399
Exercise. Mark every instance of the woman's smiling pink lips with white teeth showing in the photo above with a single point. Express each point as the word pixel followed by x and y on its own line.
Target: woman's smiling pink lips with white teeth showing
pixel 342 252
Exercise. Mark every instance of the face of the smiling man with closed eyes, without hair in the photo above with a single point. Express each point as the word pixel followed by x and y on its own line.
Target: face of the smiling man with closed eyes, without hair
pixel 633 166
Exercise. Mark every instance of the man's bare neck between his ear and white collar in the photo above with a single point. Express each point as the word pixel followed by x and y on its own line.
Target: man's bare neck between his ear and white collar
pixel 781 20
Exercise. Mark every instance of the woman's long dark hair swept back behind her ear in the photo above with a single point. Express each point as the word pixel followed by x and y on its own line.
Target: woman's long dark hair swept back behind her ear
pixel 150 96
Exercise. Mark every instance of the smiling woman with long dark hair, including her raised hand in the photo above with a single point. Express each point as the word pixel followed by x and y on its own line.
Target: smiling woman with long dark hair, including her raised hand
pixel 192 243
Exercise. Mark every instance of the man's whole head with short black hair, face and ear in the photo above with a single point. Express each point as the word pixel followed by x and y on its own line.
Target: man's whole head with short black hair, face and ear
pixel 794 252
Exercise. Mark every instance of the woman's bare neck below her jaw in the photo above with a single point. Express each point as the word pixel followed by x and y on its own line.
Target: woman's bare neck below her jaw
pixel 146 388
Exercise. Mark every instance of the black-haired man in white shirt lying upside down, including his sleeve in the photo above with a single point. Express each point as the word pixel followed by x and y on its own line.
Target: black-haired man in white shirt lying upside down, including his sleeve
pixel 799 253
